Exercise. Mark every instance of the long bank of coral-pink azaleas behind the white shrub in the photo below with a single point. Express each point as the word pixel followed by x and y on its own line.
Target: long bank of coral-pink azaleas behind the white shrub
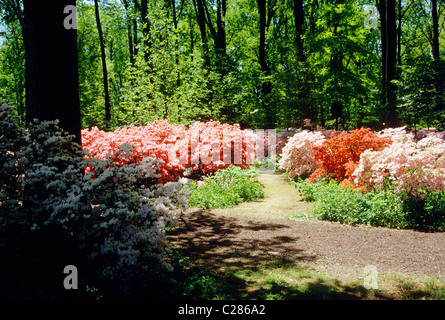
pixel 203 147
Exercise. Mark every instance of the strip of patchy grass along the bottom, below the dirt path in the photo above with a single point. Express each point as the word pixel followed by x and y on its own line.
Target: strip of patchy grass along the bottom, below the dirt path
pixel 278 281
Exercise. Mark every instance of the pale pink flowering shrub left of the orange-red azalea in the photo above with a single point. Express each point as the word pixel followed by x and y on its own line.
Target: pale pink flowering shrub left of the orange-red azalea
pixel 297 157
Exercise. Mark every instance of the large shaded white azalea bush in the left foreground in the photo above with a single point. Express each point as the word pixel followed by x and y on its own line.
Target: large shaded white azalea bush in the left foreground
pixel 117 214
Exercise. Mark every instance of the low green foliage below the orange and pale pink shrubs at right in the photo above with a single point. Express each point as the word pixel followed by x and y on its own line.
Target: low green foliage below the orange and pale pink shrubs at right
pixel 377 208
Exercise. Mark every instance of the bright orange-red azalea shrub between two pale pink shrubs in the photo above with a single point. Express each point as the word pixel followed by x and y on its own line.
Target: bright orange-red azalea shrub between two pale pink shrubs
pixel 338 156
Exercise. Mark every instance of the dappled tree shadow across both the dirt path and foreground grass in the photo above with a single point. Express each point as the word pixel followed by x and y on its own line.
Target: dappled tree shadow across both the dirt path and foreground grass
pixel 224 252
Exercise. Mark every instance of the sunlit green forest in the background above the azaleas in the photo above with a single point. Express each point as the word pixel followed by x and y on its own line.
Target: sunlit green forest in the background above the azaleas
pixel 259 63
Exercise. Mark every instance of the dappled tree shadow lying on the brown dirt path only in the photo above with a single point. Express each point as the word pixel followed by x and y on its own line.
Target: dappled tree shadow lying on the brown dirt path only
pixel 224 242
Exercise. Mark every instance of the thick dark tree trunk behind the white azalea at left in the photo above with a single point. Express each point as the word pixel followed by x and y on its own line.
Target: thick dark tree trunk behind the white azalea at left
pixel 51 65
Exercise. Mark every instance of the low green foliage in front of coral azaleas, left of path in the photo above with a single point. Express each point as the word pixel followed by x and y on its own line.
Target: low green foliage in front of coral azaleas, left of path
pixel 226 188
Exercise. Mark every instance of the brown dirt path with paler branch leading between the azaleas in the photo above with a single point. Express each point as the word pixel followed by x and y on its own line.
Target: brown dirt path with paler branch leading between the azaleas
pixel 252 232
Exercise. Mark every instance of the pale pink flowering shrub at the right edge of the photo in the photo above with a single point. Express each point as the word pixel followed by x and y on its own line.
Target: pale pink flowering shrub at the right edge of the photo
pixel 405 166
